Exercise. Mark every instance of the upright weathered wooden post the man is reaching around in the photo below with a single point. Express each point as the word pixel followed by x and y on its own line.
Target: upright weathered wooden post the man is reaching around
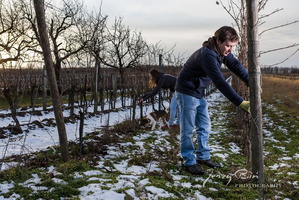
pixel 256 135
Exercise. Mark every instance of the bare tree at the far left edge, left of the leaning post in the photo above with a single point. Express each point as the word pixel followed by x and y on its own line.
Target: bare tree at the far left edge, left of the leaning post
pixel 14 46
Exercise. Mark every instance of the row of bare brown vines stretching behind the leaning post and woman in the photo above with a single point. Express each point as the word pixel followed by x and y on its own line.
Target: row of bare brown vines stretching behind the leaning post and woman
pixel 27 88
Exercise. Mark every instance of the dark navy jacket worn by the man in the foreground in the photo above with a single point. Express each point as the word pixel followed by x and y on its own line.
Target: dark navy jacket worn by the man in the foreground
pixel 202 67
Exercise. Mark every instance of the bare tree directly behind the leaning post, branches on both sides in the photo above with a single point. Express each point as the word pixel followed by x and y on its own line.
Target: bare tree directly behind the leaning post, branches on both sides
pixel 66 30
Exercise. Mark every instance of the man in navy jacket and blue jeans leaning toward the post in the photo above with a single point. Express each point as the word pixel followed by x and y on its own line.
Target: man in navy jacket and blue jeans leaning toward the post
pixel 201 68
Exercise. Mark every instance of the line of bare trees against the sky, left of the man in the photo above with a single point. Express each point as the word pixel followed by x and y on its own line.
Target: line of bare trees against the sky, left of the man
pixel 78 38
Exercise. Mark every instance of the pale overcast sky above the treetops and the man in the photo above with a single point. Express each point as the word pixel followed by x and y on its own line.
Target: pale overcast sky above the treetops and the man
pixel 188 23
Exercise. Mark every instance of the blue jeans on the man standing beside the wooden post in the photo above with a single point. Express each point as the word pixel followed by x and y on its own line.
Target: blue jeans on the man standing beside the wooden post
pixel 194 119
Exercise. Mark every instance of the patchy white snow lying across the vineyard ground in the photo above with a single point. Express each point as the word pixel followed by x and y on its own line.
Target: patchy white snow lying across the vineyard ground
pixel 130 180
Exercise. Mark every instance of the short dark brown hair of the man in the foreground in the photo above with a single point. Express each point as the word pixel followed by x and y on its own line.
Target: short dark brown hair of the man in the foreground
pixel 226 33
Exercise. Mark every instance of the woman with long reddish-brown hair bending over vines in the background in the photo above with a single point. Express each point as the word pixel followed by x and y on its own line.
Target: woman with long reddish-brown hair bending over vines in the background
pixel 160 80
